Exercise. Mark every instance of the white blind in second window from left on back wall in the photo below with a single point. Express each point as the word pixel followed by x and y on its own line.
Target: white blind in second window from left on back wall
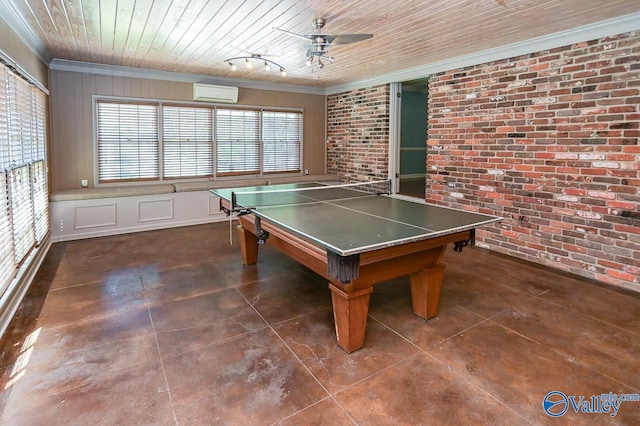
pixel 187 134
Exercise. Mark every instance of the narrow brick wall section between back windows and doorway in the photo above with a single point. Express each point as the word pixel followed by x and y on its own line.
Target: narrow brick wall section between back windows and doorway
pixel 358 134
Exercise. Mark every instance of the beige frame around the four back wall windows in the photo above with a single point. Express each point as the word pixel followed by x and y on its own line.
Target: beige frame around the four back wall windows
pixel 161 103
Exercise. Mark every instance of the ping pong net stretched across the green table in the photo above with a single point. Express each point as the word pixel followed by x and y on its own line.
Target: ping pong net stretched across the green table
pixel 243 201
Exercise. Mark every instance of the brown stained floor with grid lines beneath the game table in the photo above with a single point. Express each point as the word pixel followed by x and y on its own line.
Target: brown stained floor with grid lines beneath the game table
pixel 168 327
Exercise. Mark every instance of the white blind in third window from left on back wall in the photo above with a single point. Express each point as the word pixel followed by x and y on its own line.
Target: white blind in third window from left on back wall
pixel 237 142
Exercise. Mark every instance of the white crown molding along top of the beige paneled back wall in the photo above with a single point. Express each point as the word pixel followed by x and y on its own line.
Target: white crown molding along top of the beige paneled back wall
pixel 116 70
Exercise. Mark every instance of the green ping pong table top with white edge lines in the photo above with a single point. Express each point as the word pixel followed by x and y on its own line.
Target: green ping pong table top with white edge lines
pixel 347 221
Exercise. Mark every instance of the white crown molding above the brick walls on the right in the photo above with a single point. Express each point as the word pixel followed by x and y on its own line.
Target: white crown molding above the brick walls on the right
pixel 609 27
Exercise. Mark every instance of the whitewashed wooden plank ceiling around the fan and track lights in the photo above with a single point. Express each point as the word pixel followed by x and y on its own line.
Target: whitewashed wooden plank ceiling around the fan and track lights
pixel 196 36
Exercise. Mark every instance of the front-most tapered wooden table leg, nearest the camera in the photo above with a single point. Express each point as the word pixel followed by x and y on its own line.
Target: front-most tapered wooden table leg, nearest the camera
pixel 350 312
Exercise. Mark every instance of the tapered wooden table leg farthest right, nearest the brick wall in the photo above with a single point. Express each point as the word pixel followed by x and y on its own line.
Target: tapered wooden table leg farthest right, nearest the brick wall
pixel 426 286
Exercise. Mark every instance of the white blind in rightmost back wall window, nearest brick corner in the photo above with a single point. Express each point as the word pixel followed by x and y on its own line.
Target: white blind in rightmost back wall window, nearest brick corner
pixel 281 141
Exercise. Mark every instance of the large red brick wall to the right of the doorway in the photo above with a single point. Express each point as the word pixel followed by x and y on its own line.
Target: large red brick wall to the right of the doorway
pixel 549 141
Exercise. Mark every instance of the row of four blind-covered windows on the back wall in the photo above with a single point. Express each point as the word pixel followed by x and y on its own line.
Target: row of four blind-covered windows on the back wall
pixel 157 141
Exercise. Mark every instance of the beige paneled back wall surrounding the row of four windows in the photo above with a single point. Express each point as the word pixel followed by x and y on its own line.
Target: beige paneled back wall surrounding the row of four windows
pixel 72 156
